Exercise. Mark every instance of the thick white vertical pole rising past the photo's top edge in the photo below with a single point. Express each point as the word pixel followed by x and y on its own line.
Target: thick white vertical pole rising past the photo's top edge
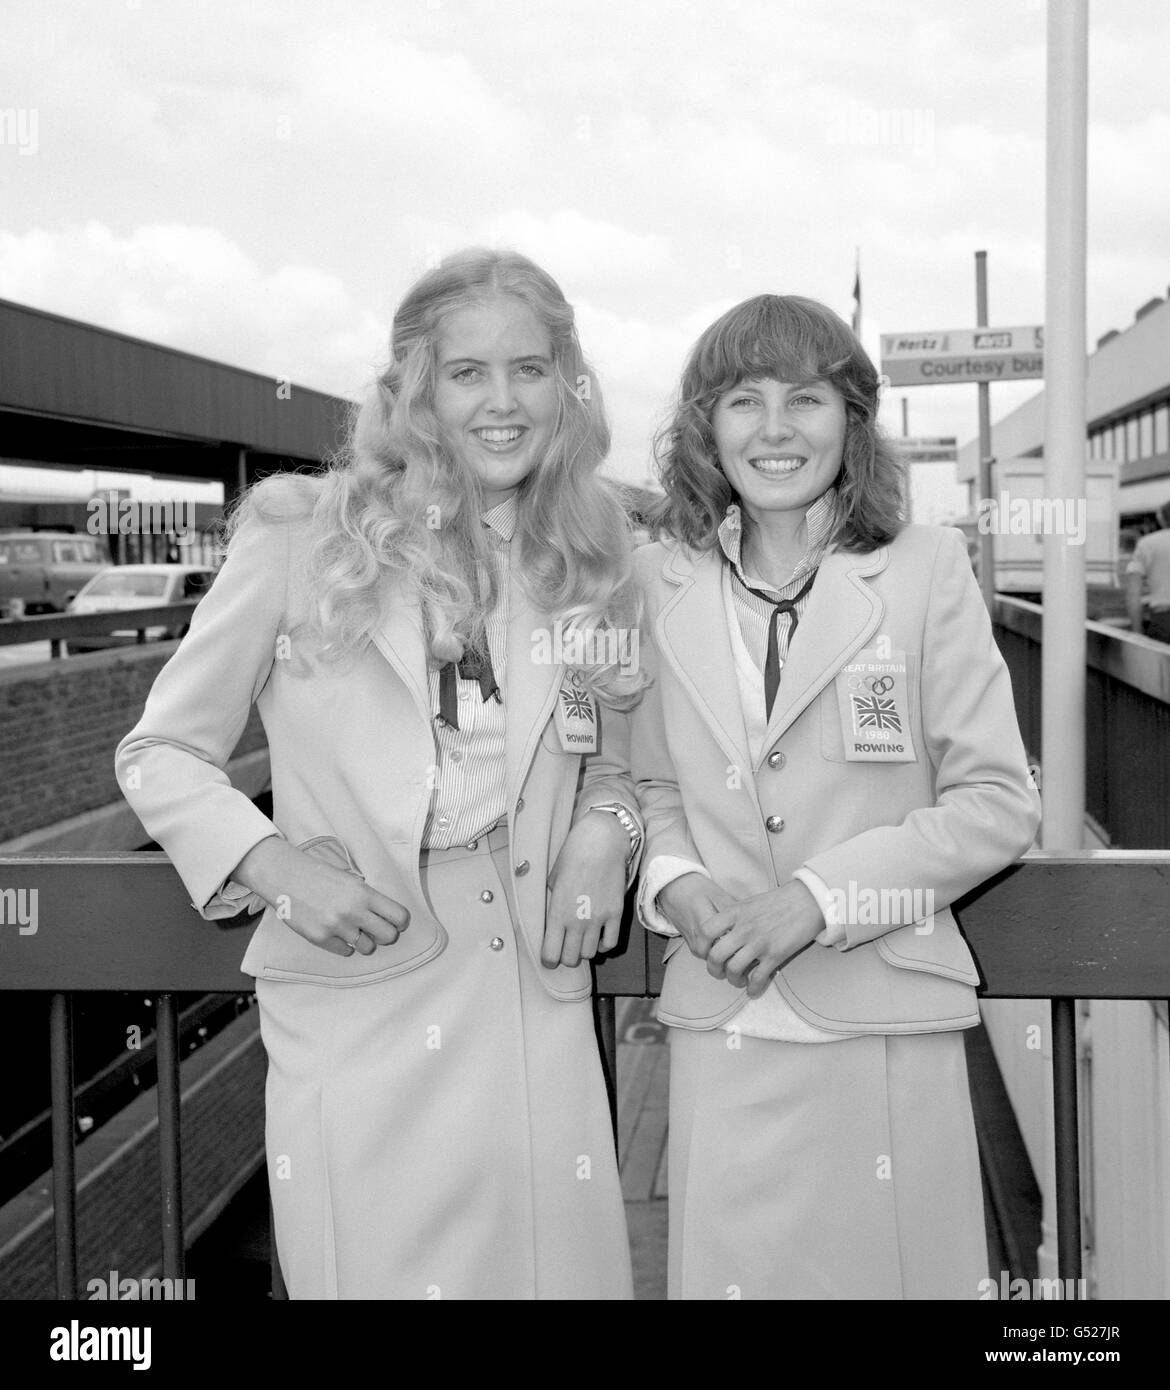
pixel 1064 654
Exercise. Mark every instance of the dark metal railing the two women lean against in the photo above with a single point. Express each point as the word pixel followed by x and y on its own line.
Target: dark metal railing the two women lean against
pixel 1050 928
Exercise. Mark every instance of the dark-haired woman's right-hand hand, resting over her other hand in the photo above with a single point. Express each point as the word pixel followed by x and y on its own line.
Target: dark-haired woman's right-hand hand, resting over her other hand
pixel 751 940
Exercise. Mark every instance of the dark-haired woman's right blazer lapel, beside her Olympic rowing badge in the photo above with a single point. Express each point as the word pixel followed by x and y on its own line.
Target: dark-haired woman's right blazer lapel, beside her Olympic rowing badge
pixel 843 615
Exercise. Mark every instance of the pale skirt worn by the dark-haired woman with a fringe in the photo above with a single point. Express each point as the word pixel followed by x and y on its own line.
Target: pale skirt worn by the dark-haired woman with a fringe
pixel 823 1171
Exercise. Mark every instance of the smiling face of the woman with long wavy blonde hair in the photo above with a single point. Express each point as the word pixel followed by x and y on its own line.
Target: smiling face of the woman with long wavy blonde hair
pixel 495 393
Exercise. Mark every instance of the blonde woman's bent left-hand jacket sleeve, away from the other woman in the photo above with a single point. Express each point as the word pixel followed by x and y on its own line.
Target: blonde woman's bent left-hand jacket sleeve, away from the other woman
pixel 172 764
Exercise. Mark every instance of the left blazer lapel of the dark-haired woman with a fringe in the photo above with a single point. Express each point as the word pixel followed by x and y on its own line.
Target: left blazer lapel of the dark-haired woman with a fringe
pixel 693 636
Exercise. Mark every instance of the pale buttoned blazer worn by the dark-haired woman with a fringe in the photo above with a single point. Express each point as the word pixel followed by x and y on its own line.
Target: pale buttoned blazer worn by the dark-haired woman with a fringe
pixel 946 822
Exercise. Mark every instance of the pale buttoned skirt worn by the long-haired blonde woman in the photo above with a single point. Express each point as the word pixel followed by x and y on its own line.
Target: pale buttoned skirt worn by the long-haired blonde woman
pixel 444 1134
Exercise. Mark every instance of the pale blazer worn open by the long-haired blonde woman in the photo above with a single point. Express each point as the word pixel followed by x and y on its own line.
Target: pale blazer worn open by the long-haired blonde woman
pixel 352 760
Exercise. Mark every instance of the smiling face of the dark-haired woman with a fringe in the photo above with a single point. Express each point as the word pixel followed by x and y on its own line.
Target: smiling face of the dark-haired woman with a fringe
pixel 780 445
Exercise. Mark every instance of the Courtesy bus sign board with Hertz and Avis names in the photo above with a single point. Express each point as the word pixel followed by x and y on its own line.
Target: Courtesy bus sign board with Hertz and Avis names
pixel 962 355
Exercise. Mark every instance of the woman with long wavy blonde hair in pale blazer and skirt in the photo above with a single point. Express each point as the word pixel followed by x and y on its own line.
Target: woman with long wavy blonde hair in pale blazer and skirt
pixel 454 825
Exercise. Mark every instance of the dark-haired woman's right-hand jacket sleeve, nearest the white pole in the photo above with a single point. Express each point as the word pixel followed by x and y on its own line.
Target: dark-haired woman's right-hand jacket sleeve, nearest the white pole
pixel 986 812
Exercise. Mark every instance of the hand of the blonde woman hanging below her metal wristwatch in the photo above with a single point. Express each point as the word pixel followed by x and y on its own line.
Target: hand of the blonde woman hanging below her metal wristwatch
pixel 587 892
